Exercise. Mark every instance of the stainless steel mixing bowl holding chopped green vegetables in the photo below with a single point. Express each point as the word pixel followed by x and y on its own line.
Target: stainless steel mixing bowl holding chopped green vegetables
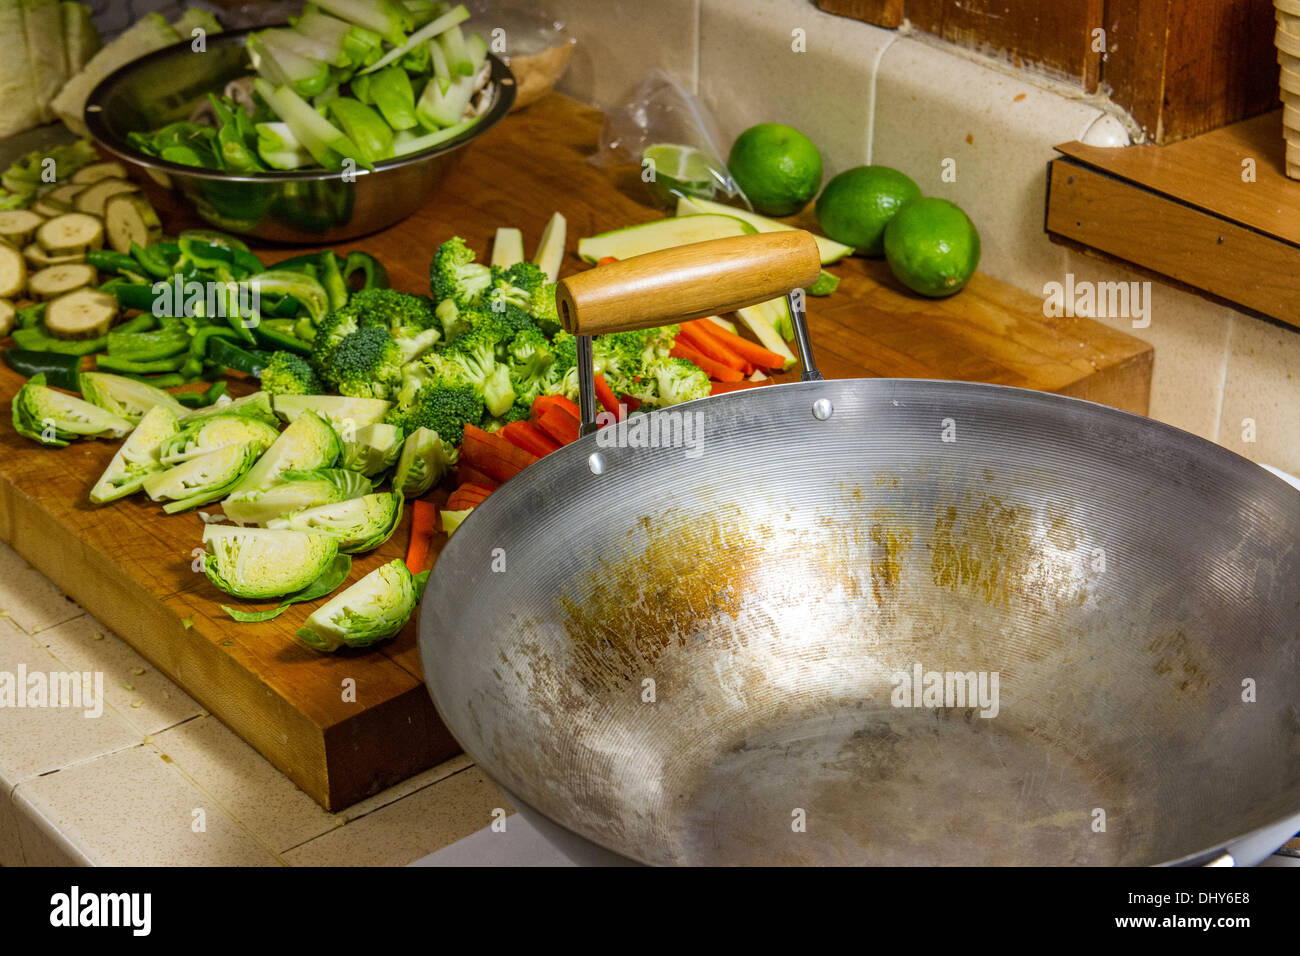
pixel 313 206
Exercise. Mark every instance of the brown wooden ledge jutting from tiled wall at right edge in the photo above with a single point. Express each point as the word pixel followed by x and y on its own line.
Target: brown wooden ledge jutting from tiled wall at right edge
pixel 1216 213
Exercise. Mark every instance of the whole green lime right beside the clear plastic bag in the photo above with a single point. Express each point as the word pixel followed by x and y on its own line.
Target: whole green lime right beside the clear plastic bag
pixel 778 167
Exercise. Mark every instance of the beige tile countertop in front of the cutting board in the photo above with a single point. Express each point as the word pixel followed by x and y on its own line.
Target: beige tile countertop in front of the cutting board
pixel 154 780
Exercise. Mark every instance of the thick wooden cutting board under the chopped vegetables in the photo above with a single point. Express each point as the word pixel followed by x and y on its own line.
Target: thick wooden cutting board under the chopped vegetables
pixel 348 725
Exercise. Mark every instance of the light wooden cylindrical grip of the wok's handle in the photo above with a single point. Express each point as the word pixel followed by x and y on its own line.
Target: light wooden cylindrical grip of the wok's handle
pixel 687 283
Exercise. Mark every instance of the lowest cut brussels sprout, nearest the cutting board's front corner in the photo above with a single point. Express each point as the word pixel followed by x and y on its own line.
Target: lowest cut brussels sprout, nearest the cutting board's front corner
pixel 370 612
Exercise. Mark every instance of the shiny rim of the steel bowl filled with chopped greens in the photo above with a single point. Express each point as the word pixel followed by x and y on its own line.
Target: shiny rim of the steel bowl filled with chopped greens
pixel 504 80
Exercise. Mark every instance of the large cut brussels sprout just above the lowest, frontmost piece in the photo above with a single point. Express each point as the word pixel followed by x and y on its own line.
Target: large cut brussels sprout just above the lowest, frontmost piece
pixel 259 563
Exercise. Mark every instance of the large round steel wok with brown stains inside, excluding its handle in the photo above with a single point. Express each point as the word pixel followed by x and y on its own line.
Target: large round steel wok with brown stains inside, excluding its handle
pixel 1123 582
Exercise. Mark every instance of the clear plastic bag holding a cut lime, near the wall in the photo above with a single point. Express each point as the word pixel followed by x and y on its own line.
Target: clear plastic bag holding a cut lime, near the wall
pixel 673 136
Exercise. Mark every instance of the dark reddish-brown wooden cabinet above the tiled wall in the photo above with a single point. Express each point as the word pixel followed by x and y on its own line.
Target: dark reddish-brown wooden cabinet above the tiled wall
pixel 1178 67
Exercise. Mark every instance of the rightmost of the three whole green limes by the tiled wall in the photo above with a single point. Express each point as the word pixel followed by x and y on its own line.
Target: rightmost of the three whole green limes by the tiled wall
pixel 933 246
